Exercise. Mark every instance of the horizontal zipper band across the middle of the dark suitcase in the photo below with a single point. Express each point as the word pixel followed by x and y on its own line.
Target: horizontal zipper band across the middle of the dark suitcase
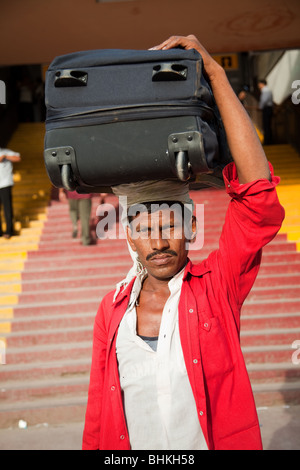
pixel 69 118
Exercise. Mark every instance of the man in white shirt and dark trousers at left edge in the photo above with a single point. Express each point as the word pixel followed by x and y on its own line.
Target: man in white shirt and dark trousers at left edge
pixel 7 158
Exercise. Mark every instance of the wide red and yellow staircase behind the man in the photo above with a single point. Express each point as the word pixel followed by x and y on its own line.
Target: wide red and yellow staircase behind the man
pixel 51 287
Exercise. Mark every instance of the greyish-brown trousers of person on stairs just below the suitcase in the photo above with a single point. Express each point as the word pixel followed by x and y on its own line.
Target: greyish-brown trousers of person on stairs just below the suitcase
pixel 80 209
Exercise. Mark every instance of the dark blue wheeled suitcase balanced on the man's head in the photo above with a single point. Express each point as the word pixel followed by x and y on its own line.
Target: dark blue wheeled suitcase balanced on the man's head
pixel 120 116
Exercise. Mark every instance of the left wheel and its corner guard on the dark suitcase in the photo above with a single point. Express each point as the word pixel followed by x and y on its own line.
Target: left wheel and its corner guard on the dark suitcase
pixel 59 165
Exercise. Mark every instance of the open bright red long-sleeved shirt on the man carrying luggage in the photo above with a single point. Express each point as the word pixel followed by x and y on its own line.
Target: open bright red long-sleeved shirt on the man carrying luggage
pixel 209 321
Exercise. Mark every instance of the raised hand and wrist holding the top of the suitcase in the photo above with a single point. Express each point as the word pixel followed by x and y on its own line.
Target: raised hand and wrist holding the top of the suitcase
pixel 212 68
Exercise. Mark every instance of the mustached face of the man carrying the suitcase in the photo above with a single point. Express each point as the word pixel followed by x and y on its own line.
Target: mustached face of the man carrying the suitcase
pixel 160 242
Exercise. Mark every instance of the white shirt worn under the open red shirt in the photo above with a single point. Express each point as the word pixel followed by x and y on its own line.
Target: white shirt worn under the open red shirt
pixel 159 405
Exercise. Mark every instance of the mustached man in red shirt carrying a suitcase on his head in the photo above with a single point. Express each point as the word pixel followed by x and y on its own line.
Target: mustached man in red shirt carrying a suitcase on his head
pixel 167 370
